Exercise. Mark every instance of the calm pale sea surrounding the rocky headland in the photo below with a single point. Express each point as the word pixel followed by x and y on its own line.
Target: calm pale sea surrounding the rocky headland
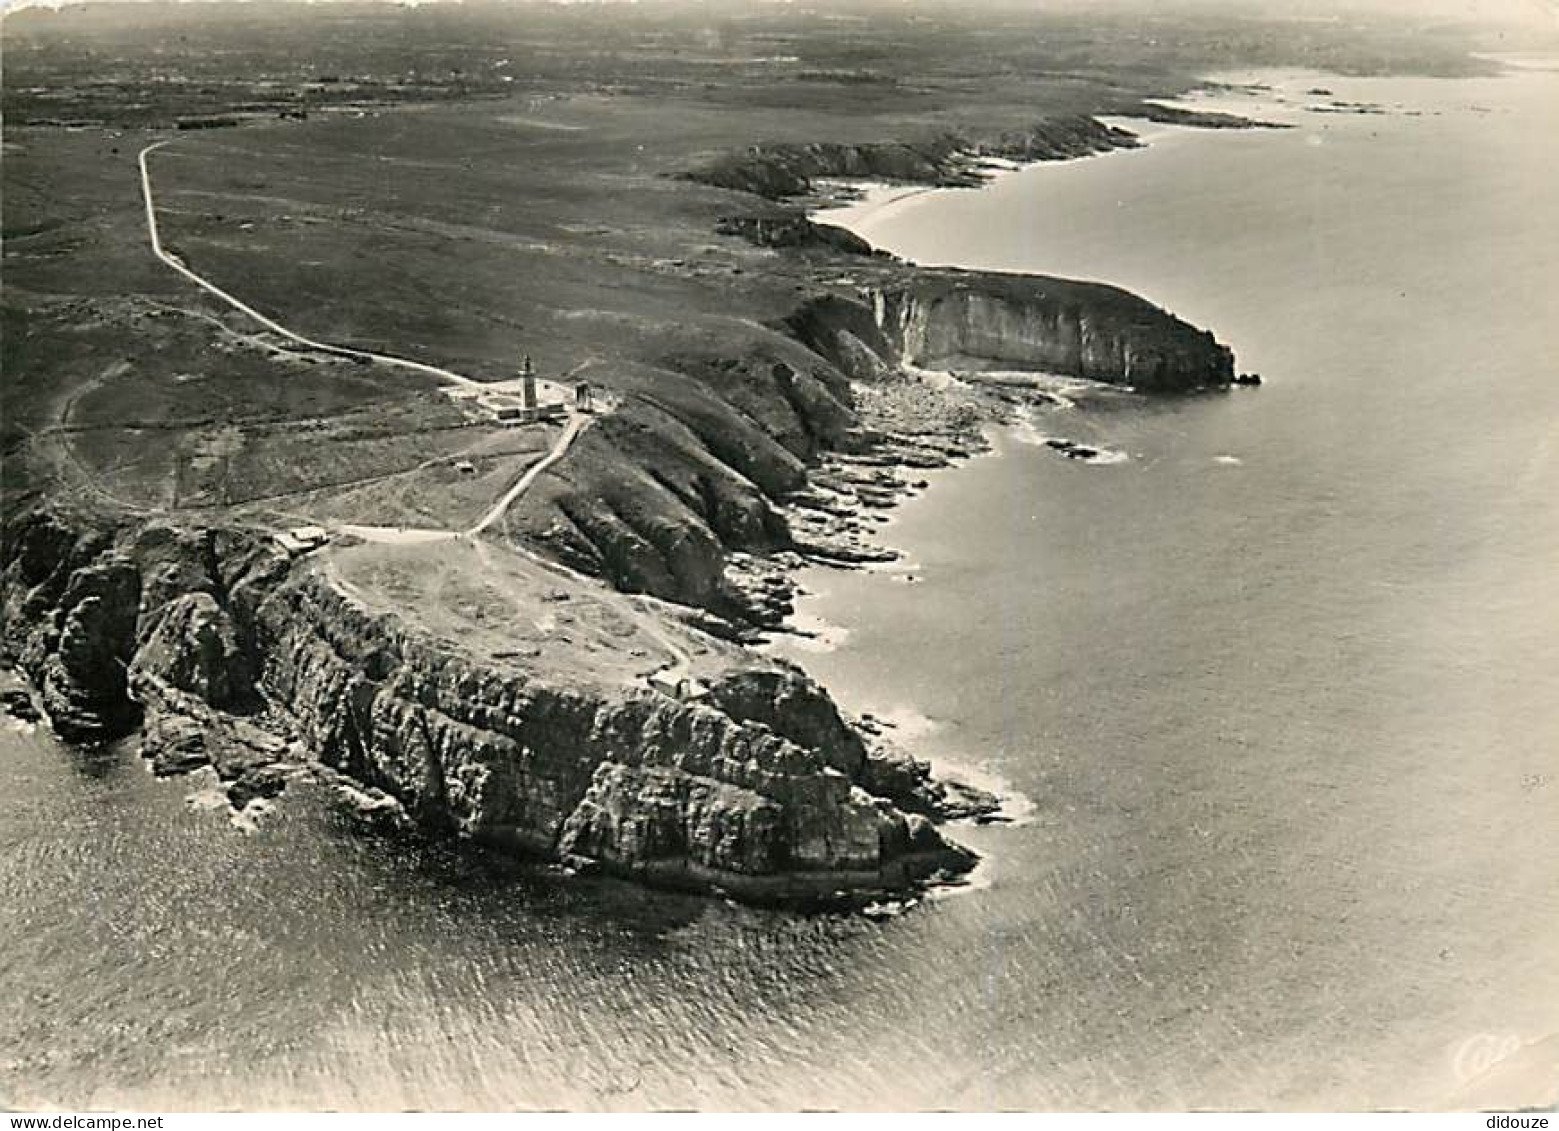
pixel 1282 690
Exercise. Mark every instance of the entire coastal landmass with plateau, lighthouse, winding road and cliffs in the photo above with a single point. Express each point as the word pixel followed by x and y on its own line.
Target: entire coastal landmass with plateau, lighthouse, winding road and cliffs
pixel 526 631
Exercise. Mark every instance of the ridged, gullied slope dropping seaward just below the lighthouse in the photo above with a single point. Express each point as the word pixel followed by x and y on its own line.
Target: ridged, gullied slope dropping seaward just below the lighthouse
pixel 698 466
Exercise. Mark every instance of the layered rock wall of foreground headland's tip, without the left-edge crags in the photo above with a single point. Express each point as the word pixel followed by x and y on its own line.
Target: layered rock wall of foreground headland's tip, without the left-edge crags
pixel 637 782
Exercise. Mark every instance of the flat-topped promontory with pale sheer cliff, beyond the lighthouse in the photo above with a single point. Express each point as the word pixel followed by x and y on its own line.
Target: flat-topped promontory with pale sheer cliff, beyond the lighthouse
pixel 938 317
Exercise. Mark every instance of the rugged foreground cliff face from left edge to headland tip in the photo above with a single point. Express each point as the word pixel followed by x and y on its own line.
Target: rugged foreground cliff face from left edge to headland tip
pixel 225 650
